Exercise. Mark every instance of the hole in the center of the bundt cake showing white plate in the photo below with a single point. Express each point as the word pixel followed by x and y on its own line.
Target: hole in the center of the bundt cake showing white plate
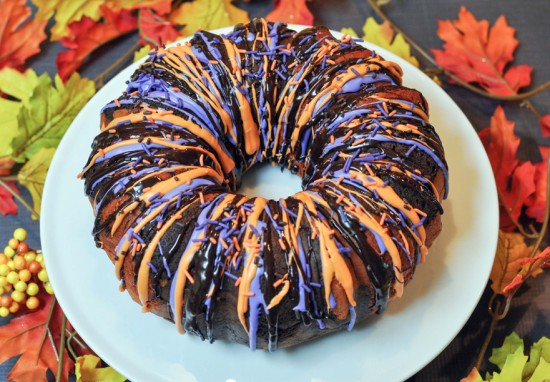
pixel 269 182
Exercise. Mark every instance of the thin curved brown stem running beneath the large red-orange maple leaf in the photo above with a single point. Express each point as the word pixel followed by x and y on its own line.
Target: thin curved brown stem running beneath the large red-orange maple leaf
pixel 429 58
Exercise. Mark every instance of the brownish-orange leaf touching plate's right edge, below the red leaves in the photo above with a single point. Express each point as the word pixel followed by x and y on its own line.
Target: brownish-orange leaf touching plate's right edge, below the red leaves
pixel 509 262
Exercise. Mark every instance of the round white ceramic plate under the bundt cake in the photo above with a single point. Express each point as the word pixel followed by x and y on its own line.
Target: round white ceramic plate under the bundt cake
pixel 409 335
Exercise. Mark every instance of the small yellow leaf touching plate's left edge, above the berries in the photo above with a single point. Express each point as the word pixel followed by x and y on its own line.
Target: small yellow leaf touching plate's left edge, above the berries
pixel 33 174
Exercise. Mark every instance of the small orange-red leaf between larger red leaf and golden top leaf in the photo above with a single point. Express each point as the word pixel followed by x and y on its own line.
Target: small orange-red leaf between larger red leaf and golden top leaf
pixel 155 29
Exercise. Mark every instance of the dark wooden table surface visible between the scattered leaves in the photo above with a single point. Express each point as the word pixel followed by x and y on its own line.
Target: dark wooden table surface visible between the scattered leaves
pixel 529 314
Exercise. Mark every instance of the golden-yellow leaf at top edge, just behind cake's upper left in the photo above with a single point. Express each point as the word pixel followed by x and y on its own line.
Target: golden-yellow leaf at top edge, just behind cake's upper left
pixel 207 15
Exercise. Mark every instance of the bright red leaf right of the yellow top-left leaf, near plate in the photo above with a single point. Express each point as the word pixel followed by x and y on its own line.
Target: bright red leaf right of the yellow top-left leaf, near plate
pixel 88 35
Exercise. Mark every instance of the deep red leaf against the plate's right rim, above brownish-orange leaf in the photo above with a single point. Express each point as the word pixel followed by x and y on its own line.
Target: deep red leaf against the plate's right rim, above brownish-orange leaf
pixel 515 181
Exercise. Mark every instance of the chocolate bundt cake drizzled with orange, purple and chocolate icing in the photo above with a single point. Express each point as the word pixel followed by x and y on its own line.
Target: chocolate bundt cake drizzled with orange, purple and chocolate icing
pixel 165 169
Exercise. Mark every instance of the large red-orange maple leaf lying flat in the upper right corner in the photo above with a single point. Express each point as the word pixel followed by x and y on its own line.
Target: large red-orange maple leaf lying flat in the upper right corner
pixel 477 53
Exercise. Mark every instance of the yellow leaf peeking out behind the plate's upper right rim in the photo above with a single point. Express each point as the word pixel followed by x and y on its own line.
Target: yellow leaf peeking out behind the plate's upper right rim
pixel 385 37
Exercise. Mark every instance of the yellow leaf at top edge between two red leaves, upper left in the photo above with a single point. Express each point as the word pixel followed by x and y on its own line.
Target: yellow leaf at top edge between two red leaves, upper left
pixel 66 11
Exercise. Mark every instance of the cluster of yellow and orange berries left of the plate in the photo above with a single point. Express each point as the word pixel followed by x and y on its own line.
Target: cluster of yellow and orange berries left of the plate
pixel 22 276
